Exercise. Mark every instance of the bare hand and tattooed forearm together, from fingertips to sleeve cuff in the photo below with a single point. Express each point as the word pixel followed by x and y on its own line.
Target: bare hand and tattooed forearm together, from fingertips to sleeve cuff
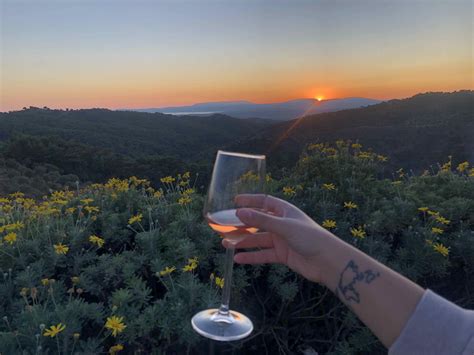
pixel 290 237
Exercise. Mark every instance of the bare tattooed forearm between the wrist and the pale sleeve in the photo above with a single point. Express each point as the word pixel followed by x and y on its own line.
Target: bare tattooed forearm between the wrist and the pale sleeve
pixel 383 299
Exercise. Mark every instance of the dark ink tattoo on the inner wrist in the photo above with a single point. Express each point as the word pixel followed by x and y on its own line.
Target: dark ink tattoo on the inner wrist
pixel 350 277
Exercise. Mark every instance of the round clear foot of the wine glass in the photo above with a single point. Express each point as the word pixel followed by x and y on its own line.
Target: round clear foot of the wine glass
pixel 213 325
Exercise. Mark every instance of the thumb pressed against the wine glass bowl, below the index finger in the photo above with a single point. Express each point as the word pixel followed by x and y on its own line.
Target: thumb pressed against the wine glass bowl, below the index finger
pixel 265 221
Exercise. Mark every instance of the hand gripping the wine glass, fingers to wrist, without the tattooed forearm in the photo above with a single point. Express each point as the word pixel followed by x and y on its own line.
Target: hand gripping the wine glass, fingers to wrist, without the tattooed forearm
pixel 290 237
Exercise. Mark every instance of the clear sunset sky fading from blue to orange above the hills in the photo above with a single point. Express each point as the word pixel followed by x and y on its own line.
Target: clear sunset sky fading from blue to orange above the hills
pixel 141 54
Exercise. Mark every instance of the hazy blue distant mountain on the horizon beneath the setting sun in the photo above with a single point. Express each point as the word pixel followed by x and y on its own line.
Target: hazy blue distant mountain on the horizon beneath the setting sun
pixel 276 111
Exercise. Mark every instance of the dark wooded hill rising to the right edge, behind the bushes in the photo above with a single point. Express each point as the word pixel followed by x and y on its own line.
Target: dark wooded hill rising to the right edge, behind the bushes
pixel 415 132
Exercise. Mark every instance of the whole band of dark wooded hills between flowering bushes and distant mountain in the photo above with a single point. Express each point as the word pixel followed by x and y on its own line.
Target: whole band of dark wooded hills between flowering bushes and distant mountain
pixel 42 149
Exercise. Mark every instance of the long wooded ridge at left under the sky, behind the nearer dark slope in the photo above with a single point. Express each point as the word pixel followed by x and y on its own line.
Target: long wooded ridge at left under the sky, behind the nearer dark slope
pixel 131 133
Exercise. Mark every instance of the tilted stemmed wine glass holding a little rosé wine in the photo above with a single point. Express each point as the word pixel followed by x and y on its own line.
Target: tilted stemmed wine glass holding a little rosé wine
pixel 233 174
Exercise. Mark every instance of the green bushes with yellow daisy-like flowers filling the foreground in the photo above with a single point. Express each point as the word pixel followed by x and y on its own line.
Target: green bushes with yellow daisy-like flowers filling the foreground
pixel 123 266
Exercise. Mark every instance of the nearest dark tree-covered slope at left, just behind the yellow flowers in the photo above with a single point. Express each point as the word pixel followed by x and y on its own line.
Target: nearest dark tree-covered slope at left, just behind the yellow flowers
pixel 36 164
